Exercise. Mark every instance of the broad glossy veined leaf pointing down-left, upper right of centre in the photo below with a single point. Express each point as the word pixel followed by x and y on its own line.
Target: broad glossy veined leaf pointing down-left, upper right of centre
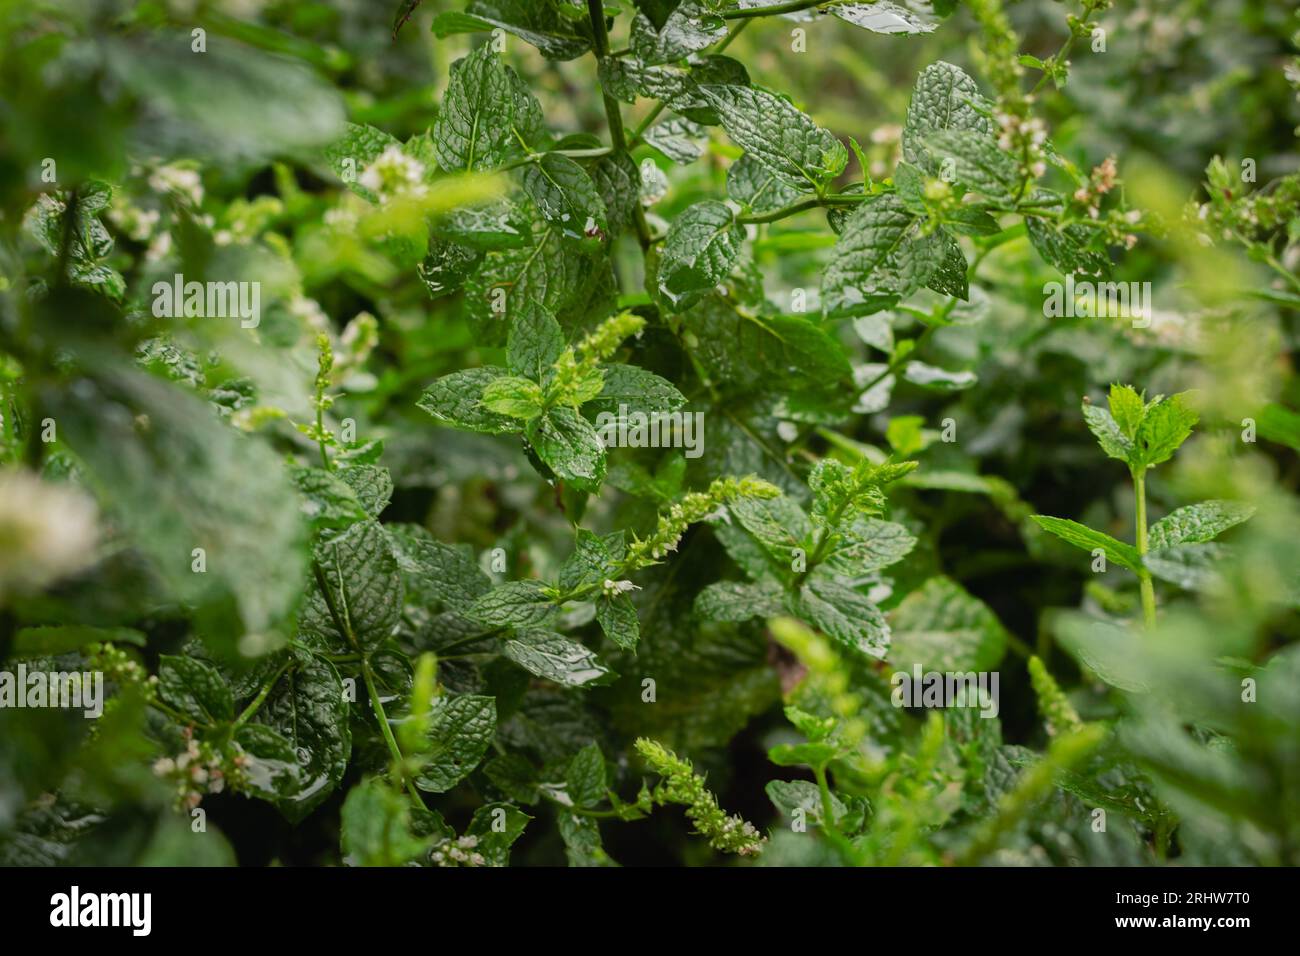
pixel 874 266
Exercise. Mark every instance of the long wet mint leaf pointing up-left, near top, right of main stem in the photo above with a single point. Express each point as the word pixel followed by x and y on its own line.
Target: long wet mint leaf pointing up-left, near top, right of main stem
pixel 778 136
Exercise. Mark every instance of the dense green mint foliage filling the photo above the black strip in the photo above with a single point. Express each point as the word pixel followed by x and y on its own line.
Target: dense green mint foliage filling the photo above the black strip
pixel 431 603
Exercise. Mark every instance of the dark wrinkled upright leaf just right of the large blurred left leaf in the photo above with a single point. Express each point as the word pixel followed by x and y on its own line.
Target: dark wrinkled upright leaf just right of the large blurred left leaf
pixel 363 600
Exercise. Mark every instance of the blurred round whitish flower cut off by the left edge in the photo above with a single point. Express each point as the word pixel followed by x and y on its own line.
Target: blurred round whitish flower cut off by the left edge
pixel 47 531
